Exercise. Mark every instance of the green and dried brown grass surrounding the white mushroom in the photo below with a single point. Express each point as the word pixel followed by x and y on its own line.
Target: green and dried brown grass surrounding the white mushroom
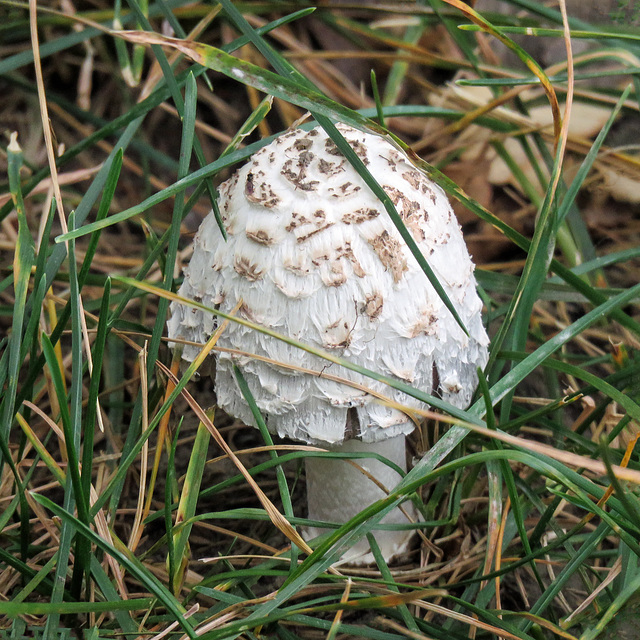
pixel 129 508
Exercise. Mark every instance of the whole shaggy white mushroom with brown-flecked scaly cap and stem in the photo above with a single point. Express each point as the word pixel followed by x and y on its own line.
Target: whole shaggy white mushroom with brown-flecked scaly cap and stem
pixel 312 254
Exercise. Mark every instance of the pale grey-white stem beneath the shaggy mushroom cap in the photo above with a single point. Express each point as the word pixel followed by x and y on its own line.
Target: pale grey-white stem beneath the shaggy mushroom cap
pixel 337 491
